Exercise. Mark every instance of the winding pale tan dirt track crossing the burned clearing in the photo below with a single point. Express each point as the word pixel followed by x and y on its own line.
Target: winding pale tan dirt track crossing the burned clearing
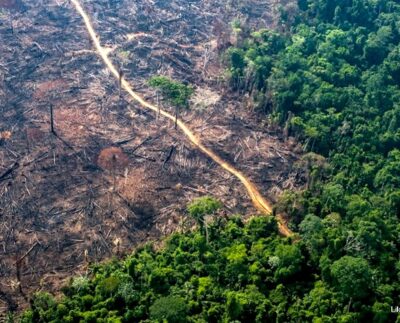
pixel 258 200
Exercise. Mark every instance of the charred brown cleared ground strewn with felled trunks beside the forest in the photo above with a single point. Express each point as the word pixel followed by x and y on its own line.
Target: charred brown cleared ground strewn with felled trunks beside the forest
pixel 81 166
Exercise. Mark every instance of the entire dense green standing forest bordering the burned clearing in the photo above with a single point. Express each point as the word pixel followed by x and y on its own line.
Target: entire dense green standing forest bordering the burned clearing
pixel 330 77
